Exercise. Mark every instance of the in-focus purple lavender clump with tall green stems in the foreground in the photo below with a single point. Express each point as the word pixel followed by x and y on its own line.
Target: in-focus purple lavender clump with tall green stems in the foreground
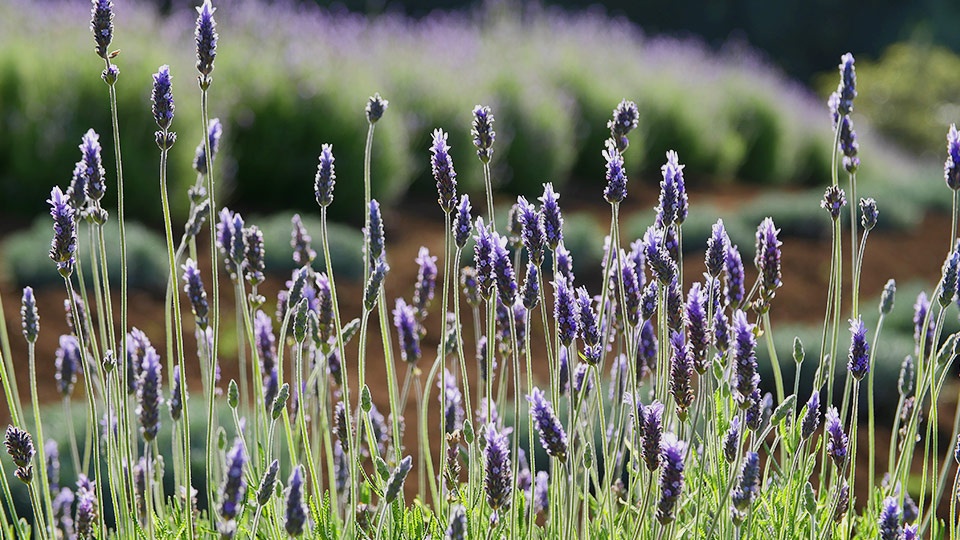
pixel 652 422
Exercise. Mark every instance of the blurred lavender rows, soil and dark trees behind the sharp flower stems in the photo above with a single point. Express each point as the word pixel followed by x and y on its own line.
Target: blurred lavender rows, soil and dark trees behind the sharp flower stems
pixel 738 88
